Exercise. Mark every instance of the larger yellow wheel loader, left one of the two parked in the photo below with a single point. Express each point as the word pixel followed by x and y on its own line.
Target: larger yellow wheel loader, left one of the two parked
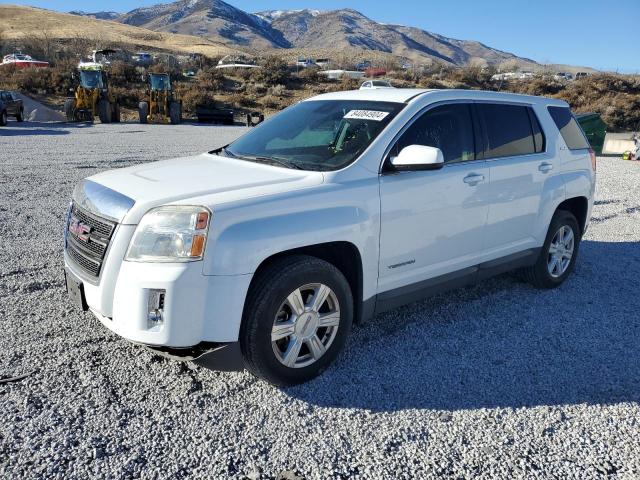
pixel 92 97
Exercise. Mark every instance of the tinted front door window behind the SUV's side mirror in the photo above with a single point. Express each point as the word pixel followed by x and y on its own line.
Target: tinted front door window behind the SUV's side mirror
pixel 447 127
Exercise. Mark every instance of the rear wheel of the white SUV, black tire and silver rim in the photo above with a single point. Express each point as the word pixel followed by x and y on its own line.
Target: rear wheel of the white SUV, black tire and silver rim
pixel 540 274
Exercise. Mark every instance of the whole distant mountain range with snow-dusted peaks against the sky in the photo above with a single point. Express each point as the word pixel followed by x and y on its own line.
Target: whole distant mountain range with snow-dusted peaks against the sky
pixel 309 29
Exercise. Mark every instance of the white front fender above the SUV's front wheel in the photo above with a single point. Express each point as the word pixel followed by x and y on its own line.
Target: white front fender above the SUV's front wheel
pixel 244 235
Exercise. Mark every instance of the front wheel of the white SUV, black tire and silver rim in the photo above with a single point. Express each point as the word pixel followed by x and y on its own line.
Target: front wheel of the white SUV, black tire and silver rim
pixel 267 305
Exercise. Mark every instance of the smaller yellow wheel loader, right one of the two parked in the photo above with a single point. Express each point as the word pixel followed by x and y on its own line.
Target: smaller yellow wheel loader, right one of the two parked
pixel 161 104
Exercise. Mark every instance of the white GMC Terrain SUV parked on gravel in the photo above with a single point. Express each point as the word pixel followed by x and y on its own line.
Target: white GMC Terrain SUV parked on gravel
pixel 336 209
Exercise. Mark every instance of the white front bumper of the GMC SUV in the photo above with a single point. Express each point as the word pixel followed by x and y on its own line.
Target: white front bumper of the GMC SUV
pixel 197 308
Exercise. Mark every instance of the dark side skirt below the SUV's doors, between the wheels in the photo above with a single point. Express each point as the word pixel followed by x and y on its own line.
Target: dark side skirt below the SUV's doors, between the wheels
pixel 397 297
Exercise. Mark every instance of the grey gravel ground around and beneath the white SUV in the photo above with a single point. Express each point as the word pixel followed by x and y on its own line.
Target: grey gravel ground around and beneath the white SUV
pixel 495 381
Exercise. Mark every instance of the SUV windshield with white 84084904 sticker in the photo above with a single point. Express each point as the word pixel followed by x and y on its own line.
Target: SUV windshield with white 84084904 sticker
pixel 317 134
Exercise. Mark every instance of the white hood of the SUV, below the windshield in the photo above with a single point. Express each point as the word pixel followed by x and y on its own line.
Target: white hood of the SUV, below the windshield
pixel 217 179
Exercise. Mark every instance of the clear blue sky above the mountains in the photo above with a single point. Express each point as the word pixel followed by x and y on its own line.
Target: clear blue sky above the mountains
pixel 594 33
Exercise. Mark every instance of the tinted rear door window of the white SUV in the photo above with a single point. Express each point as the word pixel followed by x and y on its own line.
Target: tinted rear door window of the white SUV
pixel 508 130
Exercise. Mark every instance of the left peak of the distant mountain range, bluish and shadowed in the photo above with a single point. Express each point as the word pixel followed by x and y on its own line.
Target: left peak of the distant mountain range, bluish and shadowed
pixel 210 19
